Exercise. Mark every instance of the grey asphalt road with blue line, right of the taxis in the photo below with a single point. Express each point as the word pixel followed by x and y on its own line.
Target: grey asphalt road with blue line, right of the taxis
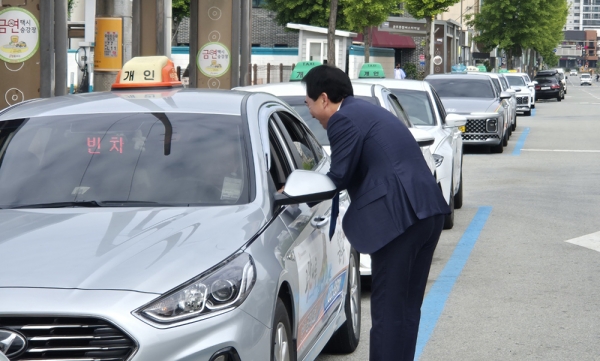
pixel 505 284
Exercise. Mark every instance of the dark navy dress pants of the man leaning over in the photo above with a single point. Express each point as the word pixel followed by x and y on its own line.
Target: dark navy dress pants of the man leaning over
pixel 399 273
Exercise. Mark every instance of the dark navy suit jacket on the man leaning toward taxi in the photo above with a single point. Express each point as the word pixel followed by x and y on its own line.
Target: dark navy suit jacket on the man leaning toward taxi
pixel 375 157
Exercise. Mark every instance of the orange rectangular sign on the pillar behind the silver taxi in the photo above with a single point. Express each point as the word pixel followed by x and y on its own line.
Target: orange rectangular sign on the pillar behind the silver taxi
pixel 108 54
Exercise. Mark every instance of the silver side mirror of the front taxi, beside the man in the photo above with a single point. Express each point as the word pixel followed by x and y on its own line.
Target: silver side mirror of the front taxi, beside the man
pixel 305 186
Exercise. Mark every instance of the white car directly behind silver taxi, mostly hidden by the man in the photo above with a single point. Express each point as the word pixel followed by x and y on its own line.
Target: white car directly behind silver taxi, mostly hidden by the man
pixel 294 94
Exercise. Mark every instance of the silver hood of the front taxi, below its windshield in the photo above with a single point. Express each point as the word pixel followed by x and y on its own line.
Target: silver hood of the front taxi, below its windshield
pixel 140 249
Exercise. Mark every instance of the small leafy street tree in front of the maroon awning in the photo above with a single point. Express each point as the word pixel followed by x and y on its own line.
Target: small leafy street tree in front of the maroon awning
pixel 362 15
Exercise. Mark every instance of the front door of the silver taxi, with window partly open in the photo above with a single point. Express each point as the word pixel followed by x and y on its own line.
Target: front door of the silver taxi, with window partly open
pixel 319 261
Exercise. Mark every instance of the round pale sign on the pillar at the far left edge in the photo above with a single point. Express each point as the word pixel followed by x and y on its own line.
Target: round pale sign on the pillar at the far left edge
pixel 19 35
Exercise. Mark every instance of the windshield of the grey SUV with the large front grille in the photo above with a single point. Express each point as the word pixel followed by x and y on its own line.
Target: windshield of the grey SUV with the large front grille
pixel 463 88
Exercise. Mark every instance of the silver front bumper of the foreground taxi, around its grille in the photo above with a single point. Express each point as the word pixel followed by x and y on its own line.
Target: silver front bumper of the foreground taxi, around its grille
pixel 197 341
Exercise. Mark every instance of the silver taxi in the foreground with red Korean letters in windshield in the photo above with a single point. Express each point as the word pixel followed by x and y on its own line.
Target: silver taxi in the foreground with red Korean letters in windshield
pixel 152 225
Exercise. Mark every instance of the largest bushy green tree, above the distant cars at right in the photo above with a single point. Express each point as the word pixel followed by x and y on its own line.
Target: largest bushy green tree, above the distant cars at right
pixel 516 26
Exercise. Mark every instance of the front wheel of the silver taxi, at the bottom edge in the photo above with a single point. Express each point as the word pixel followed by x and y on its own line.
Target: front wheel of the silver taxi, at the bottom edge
pixel 282 345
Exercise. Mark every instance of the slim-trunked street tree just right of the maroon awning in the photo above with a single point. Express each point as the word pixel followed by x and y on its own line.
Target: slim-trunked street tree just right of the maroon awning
pixel 428 10
